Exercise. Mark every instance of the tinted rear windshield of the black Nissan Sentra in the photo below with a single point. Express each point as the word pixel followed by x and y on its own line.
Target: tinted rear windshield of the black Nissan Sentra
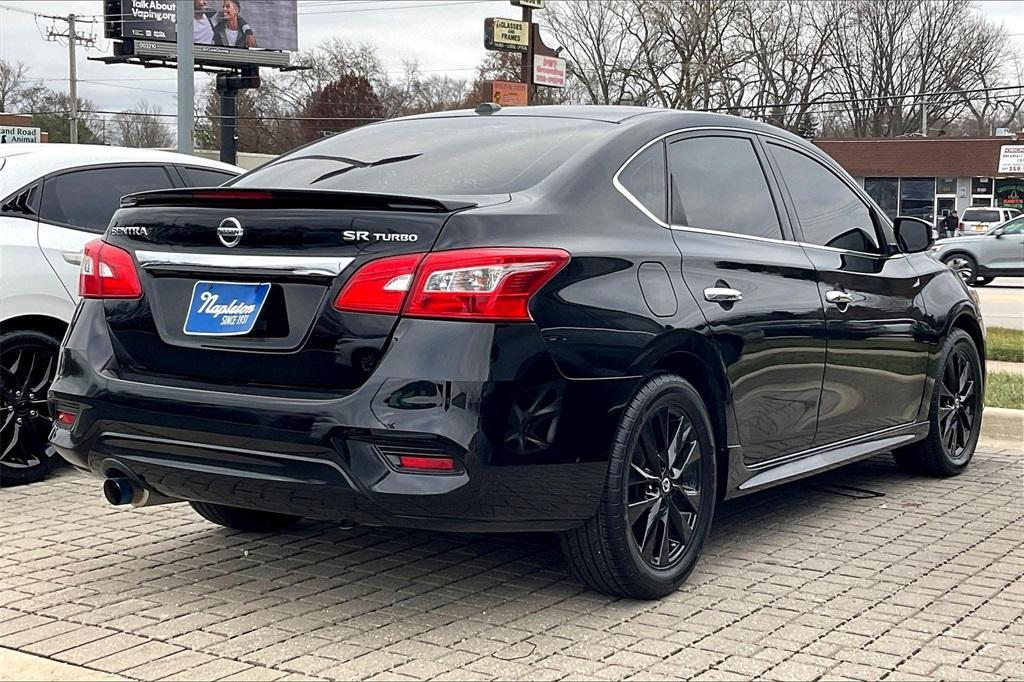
pixel 446 156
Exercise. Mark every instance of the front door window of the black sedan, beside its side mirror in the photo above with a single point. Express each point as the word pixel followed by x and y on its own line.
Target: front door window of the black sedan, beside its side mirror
pixel 830 212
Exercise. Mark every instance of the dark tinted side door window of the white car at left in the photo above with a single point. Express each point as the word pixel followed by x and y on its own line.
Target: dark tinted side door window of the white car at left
pixel 89 198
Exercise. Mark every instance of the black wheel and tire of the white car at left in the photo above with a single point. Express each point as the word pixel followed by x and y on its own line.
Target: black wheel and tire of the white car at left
pixel 28 364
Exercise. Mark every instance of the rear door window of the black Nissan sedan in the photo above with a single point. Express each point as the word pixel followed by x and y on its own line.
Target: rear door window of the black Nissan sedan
pixel 718 184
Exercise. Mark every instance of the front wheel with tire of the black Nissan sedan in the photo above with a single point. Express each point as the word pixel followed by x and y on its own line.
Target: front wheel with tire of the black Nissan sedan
pixel 955 413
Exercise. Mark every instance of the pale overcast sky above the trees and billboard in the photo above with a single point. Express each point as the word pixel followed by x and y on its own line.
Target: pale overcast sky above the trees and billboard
pixel 443 36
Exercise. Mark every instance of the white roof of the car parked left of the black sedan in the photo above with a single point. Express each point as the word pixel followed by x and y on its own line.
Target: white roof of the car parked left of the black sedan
pixel 22 163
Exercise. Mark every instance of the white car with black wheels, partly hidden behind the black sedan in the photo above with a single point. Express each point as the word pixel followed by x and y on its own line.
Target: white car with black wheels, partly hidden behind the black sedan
pixel 54 200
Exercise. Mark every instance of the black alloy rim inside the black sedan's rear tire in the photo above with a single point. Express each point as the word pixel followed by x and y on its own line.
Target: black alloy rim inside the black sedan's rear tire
pixel 663 496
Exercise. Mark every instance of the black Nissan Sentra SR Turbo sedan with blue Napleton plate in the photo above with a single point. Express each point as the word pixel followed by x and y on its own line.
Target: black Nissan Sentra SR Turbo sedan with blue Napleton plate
pixel 593 321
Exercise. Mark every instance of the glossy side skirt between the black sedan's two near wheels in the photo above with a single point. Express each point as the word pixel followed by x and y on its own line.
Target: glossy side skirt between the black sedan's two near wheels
pixel 744 480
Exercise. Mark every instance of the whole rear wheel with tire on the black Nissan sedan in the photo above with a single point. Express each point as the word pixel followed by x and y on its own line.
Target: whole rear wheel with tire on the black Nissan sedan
pixel 653 502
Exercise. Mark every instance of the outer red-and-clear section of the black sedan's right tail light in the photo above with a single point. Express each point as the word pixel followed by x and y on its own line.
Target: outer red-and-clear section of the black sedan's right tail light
pixel 485 285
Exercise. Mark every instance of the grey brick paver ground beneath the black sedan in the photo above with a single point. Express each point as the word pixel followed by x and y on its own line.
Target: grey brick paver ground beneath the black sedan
pixel 926 582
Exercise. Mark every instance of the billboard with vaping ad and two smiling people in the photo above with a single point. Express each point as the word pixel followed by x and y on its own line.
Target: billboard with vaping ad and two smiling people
pixel 224 31
